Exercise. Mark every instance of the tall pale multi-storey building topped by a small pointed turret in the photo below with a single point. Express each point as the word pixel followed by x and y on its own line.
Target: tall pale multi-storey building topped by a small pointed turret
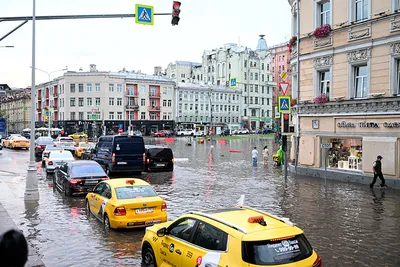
pixel 253 73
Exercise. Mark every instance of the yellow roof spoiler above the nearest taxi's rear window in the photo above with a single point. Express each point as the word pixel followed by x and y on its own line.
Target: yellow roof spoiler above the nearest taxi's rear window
pixel 272 233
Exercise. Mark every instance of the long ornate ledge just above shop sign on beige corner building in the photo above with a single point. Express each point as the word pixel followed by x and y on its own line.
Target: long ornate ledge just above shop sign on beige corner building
pixel 363 106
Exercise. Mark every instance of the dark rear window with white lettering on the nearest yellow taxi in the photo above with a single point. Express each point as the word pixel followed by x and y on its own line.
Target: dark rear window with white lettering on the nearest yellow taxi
pixel 276 252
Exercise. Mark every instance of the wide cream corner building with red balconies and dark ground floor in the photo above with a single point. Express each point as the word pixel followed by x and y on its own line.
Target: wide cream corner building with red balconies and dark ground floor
pixel 96 101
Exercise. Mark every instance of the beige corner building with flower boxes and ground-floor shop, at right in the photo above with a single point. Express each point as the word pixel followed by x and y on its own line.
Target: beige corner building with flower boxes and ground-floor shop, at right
pixel 356 65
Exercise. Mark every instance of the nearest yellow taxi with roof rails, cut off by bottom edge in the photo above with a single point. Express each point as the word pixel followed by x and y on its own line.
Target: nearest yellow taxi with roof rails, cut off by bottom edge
pixel 239 236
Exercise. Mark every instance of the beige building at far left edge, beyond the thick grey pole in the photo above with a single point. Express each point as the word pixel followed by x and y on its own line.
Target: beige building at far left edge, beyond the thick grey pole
pixel 16 105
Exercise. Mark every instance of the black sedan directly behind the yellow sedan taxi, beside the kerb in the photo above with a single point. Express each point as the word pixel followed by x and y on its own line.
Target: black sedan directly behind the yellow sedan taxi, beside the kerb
pixel 78 176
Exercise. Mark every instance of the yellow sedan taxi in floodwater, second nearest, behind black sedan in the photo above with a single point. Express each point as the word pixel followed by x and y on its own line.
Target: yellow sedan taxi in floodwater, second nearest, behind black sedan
pixel 126 203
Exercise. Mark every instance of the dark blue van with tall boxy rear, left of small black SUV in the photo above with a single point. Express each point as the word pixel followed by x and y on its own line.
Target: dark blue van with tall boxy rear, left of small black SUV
pixel 120 153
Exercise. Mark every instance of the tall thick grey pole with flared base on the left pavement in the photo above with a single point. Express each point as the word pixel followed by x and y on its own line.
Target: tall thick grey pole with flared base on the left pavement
pixel 31 186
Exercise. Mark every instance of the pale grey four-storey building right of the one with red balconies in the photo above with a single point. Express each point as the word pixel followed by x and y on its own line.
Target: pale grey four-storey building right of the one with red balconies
pixel 207 106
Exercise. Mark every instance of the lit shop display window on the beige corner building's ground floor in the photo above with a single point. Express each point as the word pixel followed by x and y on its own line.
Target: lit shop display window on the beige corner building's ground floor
pixel 345 154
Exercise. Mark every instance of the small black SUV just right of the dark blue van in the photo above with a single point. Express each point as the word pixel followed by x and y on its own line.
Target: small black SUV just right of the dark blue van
pixel 159 158
